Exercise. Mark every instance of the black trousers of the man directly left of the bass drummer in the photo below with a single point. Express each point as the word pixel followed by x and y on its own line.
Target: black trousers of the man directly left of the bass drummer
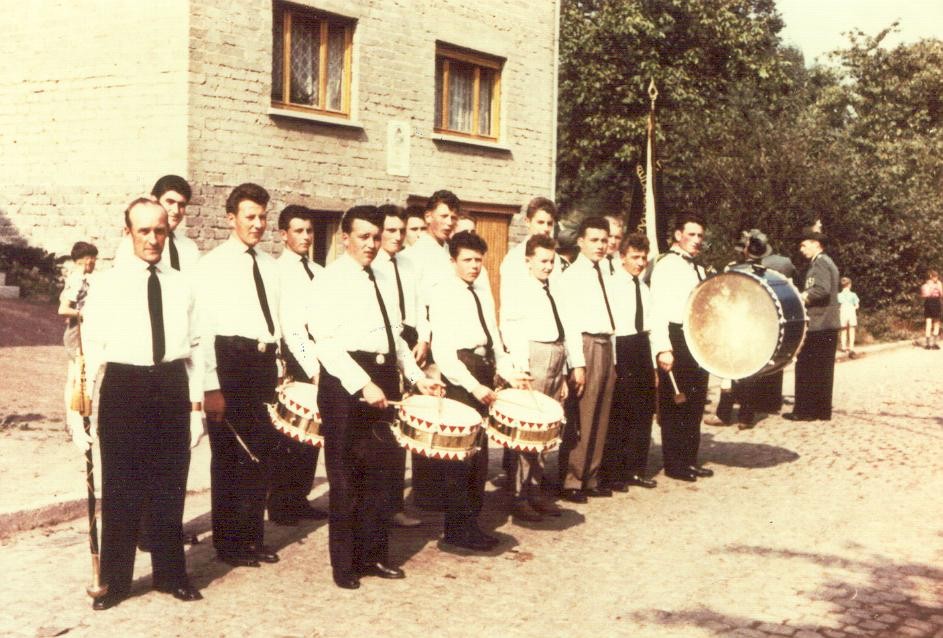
pixel 633 404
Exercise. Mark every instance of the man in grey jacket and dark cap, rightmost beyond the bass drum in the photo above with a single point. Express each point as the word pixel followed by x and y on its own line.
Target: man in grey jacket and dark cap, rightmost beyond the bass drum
pixel 815 364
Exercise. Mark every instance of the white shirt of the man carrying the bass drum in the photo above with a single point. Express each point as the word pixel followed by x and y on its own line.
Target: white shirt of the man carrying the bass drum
pixel 673 278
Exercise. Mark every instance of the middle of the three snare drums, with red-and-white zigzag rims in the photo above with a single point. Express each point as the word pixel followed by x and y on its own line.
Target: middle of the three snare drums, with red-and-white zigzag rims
pixel 437 428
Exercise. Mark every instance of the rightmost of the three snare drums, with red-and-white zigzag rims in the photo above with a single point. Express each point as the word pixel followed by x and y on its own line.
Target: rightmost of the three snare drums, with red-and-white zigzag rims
pixel 525 421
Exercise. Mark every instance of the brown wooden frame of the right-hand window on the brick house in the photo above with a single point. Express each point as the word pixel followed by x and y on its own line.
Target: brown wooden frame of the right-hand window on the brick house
pixel 479 61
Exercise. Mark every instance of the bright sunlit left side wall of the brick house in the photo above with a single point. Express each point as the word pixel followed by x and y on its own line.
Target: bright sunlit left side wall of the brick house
pixel 92 110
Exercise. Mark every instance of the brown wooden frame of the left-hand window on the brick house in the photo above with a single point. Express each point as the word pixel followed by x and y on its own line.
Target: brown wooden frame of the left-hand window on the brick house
pixel 324 21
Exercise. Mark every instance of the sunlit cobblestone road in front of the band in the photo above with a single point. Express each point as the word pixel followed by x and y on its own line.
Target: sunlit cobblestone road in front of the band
pixel 812 529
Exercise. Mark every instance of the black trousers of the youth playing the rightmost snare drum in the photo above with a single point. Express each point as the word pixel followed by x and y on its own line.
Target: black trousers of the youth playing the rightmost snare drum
pixel 465 480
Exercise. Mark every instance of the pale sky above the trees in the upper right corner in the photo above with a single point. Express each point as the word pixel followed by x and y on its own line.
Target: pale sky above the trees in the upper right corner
pixel 816 26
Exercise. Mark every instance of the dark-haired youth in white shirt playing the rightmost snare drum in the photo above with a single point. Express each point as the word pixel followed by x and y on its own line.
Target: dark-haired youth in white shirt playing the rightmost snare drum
pixel 468 349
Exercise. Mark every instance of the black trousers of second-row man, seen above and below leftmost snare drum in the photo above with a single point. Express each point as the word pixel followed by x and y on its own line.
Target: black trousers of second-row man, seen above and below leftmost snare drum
pixel 293 462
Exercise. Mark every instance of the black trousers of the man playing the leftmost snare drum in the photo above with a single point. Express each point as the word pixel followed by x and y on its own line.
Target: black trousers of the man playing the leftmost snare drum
pixel 239 485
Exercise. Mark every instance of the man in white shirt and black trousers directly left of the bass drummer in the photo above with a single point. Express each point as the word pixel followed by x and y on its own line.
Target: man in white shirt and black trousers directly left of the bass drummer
pixel 625 458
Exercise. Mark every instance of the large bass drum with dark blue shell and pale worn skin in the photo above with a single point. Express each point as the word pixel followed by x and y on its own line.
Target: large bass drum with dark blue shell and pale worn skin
pixel 745 322
